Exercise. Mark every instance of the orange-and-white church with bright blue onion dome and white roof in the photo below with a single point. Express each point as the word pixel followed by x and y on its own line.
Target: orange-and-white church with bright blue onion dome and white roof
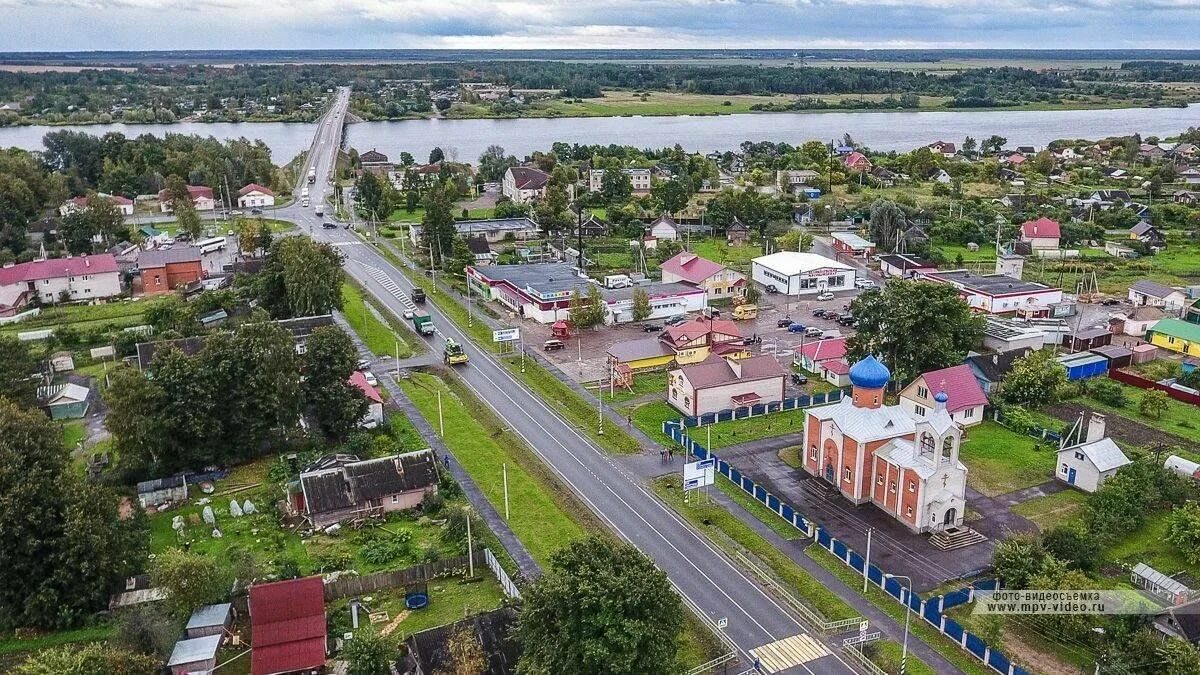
pixel 905 464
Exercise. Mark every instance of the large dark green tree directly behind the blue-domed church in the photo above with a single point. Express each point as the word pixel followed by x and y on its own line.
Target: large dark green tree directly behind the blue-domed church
pixel 914 327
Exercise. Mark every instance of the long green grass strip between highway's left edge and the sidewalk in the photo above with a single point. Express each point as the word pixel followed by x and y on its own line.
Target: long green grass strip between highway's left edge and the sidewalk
pixel 539 506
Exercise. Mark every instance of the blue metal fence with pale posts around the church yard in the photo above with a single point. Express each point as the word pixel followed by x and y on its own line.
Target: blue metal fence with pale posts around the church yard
pixel 932 612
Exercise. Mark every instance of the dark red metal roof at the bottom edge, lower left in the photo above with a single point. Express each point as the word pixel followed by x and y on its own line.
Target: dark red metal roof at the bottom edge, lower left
pixel 287 623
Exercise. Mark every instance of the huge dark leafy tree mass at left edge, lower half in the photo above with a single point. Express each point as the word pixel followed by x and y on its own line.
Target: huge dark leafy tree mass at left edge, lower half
pixel 67 543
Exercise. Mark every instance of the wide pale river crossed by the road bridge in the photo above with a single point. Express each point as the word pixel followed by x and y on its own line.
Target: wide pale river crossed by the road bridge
pixel 466 140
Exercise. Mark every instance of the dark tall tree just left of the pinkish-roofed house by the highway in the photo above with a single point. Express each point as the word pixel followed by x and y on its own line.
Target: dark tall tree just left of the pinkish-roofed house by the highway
pixel 331 402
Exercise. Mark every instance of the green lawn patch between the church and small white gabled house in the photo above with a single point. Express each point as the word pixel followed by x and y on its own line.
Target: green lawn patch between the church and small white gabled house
pixel 1001 461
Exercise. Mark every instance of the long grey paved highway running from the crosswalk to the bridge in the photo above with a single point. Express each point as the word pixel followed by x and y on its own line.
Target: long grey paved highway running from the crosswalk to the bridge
pixel 758 624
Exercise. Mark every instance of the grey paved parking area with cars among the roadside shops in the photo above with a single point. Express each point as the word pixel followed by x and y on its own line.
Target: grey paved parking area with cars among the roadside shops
pixel 585 359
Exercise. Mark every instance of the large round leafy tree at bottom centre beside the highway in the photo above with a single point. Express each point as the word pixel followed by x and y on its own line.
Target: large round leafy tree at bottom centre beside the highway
pixel 602 608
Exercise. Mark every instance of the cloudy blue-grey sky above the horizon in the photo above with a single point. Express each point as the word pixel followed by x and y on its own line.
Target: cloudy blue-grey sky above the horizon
pixel 277 25
